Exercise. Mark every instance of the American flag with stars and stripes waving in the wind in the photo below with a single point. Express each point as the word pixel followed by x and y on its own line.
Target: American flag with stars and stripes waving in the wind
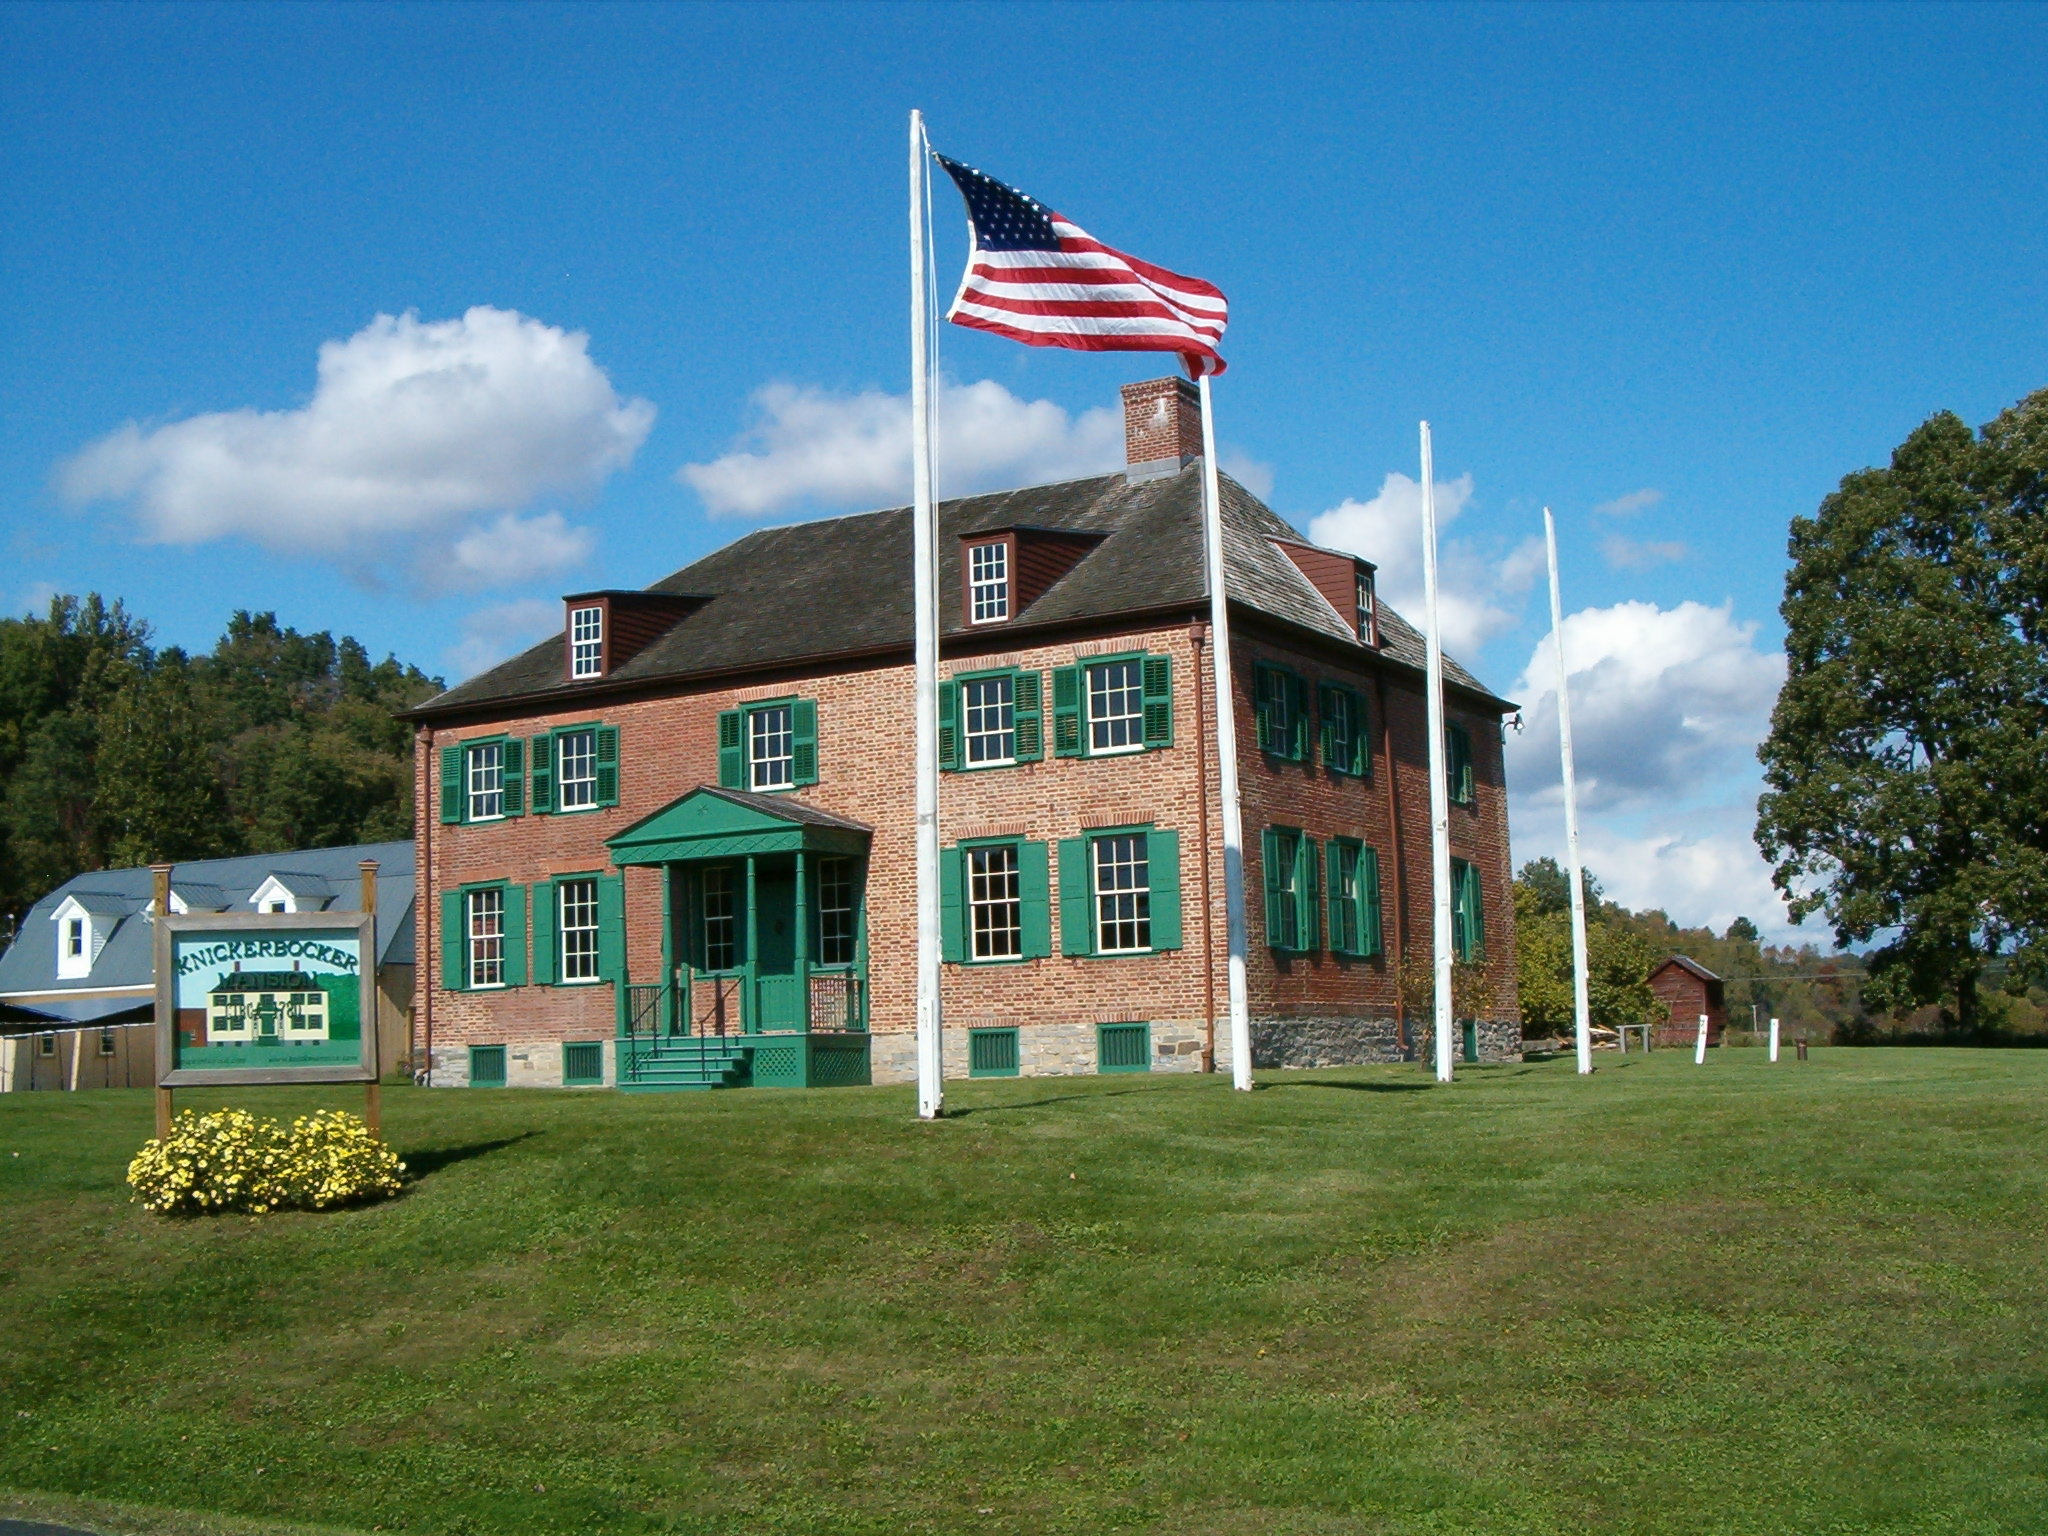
pixel 1043 282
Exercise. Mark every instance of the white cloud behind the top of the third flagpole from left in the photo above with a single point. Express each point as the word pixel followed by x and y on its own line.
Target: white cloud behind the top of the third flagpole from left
pixel 1388 531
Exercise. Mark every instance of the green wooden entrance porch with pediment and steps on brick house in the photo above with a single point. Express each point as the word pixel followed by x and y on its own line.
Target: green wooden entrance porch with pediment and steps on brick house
pixel 763 947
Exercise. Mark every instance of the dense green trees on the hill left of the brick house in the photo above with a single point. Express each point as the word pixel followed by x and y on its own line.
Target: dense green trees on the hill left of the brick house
pixel 118 753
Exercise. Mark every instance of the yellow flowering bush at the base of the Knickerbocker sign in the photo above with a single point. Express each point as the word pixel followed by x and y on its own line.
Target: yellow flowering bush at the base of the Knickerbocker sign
pixel 230 1160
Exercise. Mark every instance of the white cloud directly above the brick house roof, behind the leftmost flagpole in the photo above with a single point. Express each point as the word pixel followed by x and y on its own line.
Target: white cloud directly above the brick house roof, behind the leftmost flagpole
pixel 814 447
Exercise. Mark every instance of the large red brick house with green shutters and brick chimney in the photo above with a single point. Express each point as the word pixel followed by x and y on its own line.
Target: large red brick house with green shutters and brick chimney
pixel 675 843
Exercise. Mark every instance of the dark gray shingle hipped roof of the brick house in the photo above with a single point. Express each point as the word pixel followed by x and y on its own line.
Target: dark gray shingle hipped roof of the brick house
pixel 843 585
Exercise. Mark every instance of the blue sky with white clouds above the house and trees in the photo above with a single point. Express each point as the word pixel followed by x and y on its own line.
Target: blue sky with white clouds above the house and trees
pixel 1672 271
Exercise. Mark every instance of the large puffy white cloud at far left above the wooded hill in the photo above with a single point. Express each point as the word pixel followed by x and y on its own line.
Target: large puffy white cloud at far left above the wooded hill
pixel 413 429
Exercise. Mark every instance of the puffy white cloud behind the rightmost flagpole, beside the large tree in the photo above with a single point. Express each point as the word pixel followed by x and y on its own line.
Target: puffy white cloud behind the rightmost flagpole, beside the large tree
pixel 1664 703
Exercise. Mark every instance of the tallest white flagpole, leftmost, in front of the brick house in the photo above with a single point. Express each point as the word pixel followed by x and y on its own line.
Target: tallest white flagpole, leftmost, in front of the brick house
pixel 925 583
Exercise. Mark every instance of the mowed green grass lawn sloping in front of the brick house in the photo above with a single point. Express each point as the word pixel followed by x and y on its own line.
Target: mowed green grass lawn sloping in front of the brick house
pixel 1732 1299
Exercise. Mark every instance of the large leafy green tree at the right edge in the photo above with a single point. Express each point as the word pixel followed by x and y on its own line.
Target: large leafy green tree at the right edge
pixel 1906 779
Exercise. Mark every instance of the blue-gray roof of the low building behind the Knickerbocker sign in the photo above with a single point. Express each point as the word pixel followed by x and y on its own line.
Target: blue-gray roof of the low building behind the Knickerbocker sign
pixel 122 894
